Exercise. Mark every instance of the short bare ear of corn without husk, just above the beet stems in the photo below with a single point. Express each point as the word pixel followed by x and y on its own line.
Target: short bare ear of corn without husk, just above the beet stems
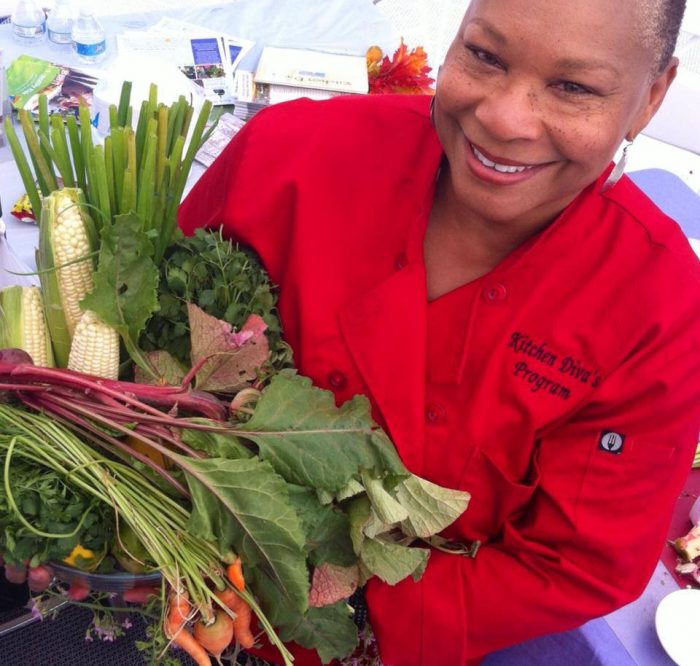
pixel 95 348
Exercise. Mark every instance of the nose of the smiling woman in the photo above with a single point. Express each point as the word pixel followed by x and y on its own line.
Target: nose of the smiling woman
pixel 511 112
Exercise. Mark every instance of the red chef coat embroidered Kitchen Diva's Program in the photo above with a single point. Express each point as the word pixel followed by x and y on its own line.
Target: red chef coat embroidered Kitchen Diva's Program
pixel 561 389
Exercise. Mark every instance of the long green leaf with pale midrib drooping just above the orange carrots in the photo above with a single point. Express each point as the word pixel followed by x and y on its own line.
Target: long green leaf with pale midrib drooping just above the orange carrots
pixel 242 505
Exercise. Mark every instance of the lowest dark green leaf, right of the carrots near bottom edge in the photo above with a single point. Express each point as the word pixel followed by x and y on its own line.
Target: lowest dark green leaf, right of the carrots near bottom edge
pixel 330 630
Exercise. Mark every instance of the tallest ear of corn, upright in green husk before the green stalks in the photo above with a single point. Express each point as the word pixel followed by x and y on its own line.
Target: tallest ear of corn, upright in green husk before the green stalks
pixel 66 243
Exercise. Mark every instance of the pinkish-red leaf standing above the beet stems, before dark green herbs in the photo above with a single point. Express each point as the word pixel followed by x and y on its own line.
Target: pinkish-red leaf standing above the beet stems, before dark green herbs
pixel 233 357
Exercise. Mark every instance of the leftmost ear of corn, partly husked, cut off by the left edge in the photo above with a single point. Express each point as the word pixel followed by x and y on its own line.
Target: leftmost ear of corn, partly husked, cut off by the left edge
pixel 23 325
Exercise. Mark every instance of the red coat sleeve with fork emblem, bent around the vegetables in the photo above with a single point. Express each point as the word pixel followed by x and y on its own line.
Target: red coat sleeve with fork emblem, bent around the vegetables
pixel 588 543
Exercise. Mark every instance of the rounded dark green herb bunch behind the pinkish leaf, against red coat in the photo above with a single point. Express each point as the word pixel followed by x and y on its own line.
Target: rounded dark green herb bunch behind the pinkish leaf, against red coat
pixel 225 280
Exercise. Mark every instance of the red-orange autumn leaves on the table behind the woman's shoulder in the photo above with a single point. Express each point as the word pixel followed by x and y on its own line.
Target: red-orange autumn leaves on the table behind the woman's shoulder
pixel 406 73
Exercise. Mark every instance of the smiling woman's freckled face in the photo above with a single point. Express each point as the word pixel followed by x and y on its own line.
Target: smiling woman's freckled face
pixel 534 98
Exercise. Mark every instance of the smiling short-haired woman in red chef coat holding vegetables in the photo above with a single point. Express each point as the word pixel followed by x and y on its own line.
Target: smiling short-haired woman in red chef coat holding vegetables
pixel 510 304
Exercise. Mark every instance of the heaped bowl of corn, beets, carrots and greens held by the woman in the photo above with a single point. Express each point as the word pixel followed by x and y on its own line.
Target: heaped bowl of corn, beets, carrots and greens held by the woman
pixel 153 432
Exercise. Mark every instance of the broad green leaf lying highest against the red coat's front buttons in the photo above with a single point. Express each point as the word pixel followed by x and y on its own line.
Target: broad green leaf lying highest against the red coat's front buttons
pixel 311 442
